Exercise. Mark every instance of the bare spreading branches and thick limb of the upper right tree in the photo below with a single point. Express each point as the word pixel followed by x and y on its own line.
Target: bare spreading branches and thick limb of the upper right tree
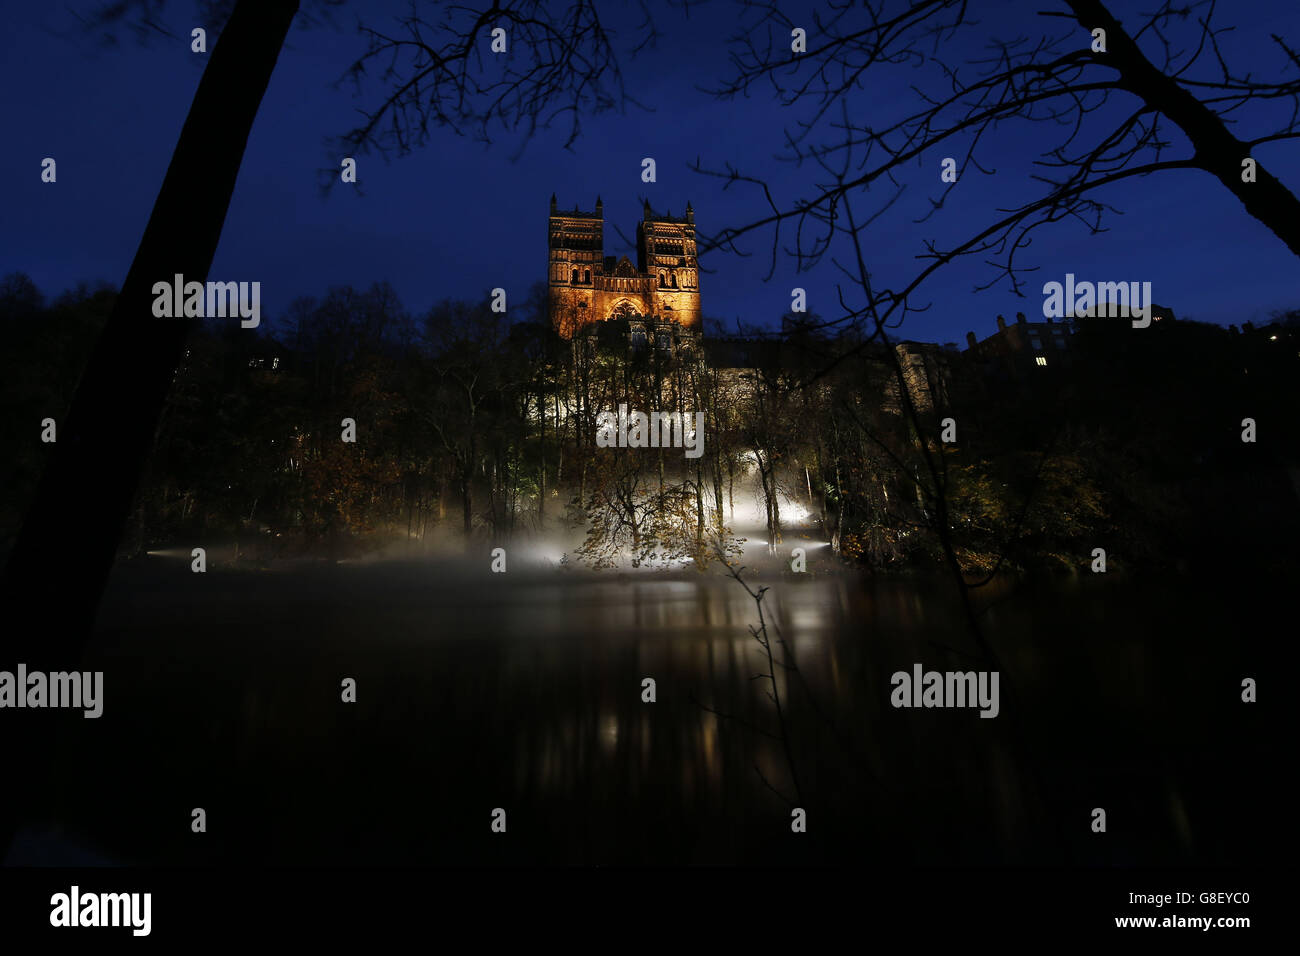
pixel 1106 110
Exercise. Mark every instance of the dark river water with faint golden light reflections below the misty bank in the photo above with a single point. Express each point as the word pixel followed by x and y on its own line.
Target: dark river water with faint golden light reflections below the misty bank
pixel 525 693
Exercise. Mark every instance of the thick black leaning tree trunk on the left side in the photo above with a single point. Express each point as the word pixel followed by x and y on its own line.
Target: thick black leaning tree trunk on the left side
pixel 63 556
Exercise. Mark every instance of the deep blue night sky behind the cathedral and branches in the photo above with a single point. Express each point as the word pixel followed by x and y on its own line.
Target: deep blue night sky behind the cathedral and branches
pixel 457 219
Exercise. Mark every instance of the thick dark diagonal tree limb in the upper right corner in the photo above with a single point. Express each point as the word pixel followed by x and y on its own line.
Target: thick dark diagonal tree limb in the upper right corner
pixel 1217 150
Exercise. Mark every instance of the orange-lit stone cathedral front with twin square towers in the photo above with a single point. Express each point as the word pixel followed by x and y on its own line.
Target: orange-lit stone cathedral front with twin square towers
pixel 588 287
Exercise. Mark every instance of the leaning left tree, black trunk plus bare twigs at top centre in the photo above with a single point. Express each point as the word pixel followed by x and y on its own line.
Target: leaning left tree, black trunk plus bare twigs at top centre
pixel 63 556
